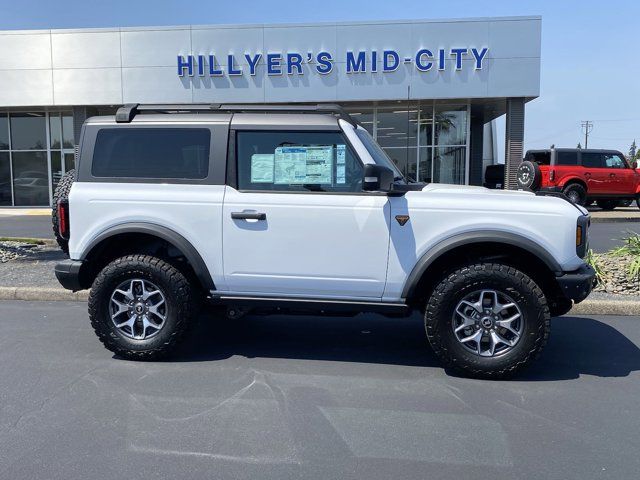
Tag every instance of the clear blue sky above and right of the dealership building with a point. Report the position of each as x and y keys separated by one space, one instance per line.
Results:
x=590 y=49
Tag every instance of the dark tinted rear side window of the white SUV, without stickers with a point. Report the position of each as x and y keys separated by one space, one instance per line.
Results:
x=152 y=153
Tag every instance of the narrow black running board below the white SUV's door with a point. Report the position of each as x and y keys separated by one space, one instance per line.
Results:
x=315 y=304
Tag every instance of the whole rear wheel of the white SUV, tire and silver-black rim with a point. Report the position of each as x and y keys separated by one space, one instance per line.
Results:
x=140 y=307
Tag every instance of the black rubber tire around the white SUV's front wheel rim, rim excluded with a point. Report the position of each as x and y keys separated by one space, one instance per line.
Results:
x=440 y=307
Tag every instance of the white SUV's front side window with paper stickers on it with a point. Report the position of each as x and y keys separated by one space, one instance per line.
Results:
x=297 y=161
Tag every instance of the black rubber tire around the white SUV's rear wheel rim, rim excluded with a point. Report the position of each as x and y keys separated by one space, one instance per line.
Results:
x=179 y=295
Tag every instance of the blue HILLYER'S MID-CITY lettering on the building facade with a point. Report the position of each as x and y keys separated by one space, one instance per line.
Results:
x=291 y=63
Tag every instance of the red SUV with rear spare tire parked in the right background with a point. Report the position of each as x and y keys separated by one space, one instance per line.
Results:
x=582 y=175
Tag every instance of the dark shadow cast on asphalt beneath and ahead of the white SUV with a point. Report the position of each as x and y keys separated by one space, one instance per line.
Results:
x=577 y=346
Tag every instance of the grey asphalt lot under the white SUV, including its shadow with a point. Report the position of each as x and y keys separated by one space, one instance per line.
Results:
x=310 y=397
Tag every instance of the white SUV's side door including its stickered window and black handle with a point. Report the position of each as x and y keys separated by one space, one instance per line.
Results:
x=297 y=222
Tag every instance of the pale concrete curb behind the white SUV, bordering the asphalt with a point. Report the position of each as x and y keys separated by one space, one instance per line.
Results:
x=621 y=306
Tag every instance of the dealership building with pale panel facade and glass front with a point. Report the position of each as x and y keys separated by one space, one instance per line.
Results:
x=427 y=90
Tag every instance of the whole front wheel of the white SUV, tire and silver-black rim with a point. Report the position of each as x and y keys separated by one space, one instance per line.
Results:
x=487 y=320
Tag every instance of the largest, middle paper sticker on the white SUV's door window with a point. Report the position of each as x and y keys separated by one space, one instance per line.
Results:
x=304 y=165
